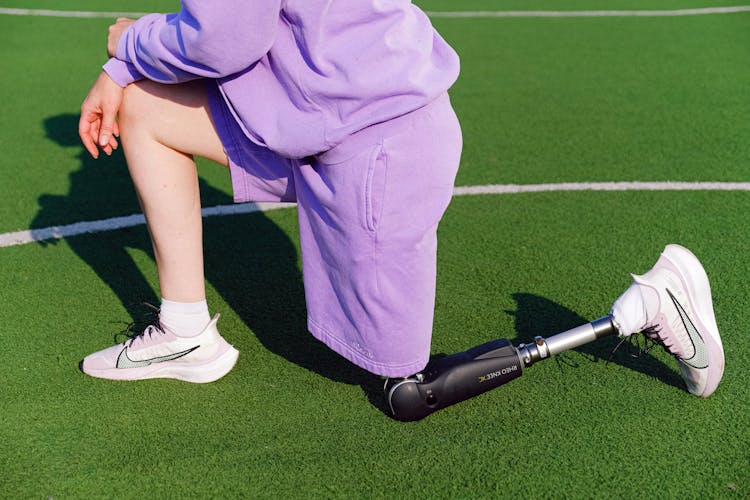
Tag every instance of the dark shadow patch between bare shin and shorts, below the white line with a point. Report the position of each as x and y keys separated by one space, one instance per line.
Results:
x=255 y=269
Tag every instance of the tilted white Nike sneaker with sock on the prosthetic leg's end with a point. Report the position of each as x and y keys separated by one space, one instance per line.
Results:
x=671 y=304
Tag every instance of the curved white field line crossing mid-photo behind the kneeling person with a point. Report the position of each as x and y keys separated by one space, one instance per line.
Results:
x=58 y=232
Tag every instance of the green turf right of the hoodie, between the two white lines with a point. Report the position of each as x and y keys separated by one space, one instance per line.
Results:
x=602 y=99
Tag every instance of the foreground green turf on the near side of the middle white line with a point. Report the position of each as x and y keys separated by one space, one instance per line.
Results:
x=292 y=419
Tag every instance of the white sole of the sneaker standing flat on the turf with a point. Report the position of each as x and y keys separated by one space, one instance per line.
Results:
x=196 y=373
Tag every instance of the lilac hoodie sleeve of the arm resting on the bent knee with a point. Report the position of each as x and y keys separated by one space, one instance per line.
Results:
x=203 y=40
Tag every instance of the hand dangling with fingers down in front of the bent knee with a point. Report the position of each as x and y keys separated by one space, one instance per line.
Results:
x=97 y=125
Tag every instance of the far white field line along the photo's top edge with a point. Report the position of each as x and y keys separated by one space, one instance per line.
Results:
x=456 y=14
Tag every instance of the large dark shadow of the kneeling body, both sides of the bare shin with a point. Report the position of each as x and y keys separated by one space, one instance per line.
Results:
x=249 y=260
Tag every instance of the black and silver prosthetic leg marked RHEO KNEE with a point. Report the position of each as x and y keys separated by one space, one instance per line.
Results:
x=461 y=376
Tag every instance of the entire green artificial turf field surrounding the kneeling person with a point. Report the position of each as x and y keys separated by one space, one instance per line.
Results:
x=540 y=100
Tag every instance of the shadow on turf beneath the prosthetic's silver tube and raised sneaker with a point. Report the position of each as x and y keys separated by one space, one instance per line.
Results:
x=537 y=315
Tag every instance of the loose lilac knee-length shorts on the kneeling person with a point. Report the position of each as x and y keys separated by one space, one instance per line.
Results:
x=368 y=214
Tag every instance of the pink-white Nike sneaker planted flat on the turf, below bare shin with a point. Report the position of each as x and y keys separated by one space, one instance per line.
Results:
x=159 y=353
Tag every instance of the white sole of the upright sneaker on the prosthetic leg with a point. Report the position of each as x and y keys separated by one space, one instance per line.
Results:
x=699 y=291
